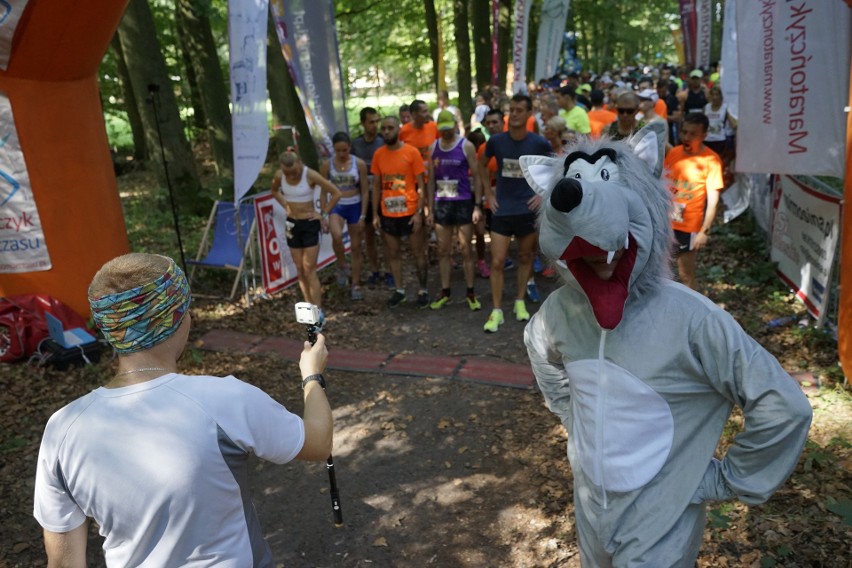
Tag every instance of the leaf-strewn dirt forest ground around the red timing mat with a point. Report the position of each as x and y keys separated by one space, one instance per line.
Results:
x=435 y=472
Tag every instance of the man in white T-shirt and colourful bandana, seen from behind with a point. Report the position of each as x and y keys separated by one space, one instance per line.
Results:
x=156 y=458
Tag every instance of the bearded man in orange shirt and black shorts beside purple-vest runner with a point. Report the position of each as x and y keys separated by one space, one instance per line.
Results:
x=399 y=188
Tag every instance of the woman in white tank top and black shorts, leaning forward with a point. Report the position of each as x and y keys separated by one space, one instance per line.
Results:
x=294 y=187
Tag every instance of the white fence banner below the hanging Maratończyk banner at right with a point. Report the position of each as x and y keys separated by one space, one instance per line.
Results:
x=805 y=233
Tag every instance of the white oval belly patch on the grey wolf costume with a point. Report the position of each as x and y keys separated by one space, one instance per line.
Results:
x=622 y=429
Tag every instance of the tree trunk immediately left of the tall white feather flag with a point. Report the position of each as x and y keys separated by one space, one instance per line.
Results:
x=212 y=85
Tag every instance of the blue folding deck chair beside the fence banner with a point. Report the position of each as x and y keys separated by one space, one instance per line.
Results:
x=228 y=249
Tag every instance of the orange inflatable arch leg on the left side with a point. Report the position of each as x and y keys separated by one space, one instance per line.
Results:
x=51 y=84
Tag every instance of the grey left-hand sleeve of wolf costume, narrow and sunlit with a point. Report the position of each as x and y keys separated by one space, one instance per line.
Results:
x=548 y=368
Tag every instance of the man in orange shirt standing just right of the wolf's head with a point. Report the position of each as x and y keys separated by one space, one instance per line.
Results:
x=696 y=175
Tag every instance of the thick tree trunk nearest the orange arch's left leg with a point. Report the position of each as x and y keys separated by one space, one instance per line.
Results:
x=158 y=109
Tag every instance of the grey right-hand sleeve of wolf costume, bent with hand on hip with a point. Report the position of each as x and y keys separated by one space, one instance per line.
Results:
x=777 y=413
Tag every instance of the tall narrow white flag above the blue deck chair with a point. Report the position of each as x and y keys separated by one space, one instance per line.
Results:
x=247 y=59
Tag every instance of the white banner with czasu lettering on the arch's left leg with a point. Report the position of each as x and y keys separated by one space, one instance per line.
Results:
x=22 y=246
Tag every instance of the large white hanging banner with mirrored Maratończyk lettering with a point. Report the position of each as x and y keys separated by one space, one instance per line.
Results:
x=794 y=85
